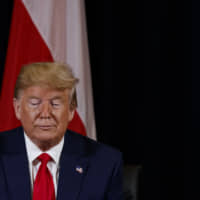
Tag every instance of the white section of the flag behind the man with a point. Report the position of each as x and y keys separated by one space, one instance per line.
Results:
x=62 y=25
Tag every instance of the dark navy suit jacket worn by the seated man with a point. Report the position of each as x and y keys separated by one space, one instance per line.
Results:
x=101 y=177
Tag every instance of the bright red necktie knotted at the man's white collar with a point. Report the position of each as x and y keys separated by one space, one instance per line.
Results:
x=43 y=186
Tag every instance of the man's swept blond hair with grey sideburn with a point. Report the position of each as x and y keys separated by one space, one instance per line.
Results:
x=54 y=75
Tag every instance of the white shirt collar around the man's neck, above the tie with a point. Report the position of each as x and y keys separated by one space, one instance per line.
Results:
x=33 y=151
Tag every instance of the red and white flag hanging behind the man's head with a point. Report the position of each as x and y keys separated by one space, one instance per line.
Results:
x=49 y=30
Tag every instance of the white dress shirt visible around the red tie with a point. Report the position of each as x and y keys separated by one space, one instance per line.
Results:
x=33 y=152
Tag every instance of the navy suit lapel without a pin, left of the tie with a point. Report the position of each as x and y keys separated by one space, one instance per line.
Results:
x=15 y=165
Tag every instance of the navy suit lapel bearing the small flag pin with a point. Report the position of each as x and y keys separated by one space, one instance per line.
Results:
x=73 y=169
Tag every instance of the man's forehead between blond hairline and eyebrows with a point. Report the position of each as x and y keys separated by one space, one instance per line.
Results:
x=44 y=92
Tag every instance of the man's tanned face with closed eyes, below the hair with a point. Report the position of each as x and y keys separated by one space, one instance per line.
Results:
x=44 y=114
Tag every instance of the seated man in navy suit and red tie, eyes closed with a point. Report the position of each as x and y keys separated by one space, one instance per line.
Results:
x=44 y=160
